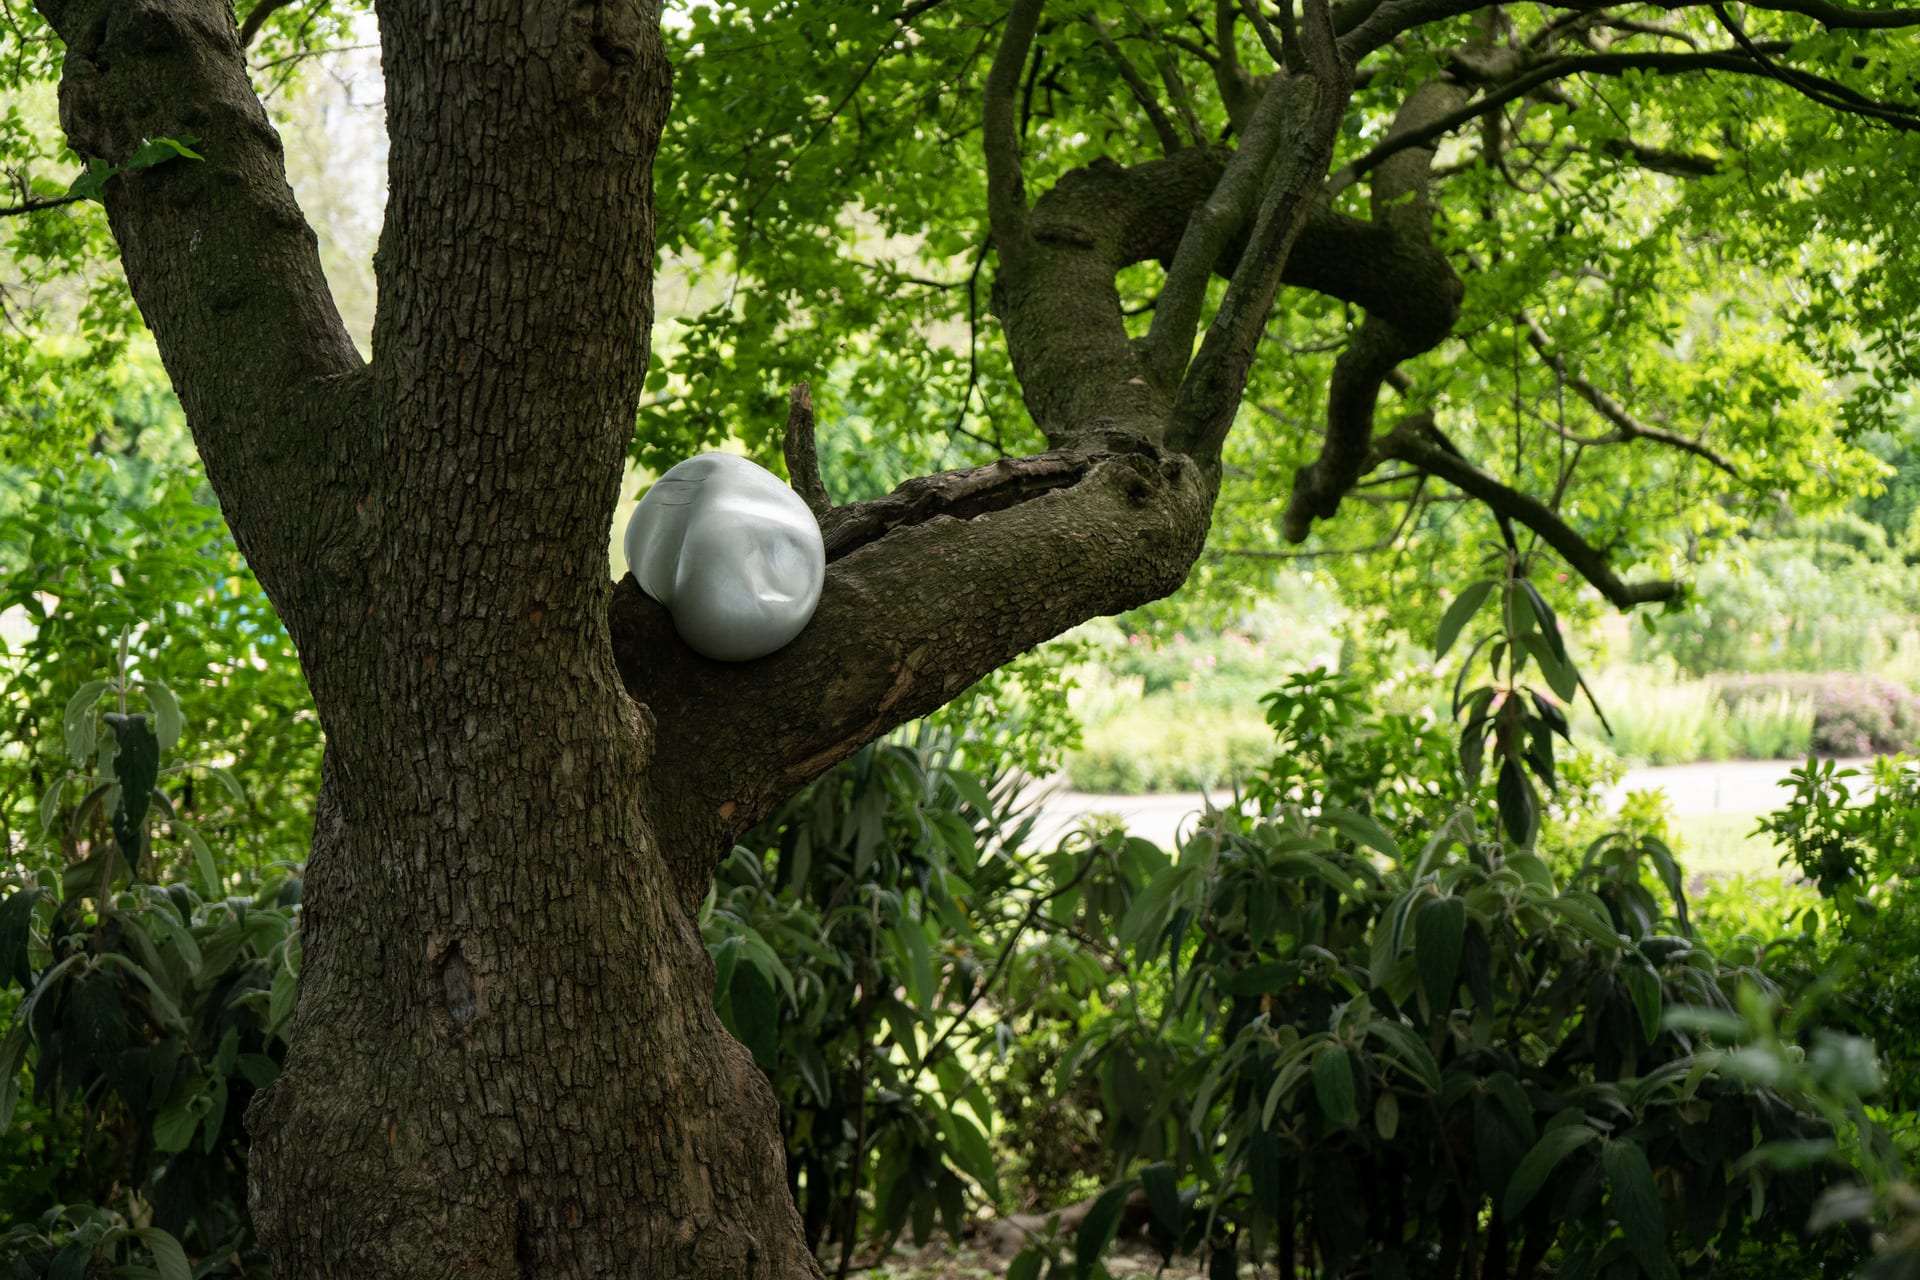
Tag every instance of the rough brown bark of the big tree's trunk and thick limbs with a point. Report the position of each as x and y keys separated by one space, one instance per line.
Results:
x=506 y=1058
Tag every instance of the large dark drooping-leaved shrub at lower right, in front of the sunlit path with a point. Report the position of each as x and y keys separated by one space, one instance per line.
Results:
x=1370 y=1035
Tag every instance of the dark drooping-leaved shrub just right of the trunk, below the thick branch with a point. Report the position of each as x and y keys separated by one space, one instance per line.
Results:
x=852 y=937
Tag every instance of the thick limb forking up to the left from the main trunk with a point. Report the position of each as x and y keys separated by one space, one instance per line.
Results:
x=218 y=256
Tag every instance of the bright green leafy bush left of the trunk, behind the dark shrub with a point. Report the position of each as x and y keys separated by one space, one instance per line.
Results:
x=114 y=548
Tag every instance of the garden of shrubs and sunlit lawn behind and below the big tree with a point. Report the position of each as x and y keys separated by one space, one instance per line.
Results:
x=1428 y=999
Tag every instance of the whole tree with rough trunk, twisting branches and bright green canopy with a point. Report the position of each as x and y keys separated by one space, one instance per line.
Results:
x=1076 y=289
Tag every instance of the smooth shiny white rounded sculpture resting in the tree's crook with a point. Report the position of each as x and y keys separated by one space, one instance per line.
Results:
x=732 y=554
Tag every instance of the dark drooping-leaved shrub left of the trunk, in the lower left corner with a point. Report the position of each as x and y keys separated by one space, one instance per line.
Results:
x=151 y=993
